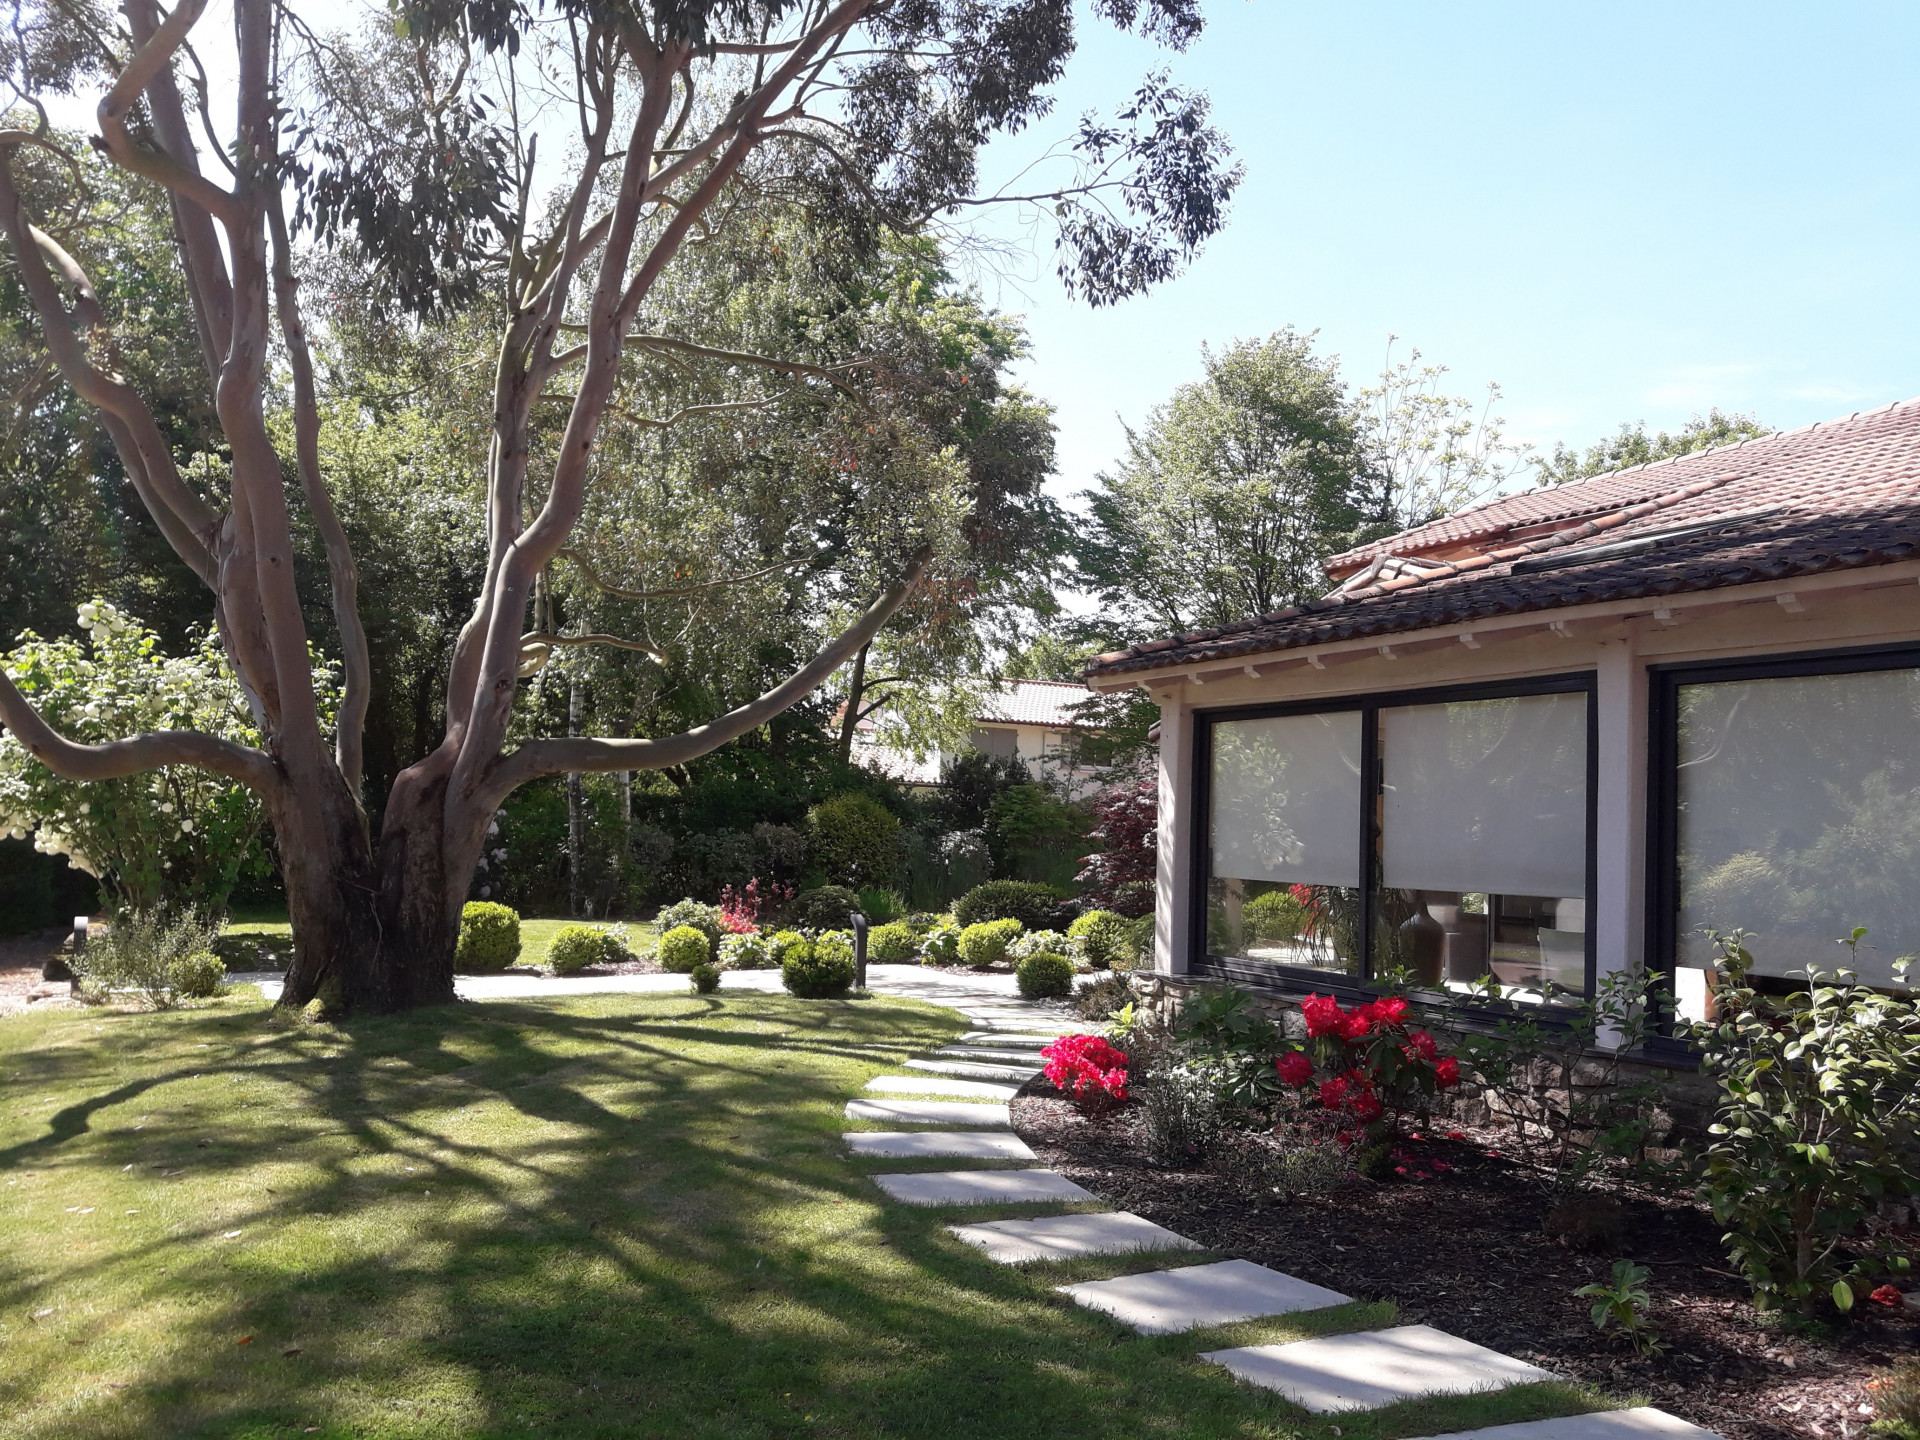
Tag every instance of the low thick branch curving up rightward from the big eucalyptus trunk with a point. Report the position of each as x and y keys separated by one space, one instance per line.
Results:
x=552 y=757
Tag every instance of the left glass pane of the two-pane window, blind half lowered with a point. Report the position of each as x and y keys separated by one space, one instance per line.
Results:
x=1285 y=842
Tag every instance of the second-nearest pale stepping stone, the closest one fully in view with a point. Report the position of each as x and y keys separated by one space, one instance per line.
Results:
x=1376 y=1368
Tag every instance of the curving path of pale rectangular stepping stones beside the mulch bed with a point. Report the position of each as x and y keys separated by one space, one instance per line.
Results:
x=1333 y=1374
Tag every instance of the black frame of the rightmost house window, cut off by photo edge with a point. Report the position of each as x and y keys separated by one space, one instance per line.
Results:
x=1664 y=771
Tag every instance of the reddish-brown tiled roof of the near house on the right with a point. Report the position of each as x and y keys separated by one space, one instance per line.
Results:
x=1829 y=496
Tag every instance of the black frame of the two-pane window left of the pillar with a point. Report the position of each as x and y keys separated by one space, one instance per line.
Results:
x=1268 y=974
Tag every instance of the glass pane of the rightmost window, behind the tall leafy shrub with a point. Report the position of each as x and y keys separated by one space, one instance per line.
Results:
x=1800 y=821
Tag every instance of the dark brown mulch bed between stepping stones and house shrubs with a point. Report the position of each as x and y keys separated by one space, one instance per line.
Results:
x=1468 y=1251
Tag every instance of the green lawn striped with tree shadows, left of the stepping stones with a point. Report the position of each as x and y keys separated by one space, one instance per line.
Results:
x=610 y=1216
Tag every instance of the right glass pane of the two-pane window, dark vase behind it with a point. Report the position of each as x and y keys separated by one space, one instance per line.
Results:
x=1483 y=844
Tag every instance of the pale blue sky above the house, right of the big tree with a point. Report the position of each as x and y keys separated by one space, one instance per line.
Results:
x=1618 y=212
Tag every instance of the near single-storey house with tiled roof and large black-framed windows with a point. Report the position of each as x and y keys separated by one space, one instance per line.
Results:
x=1566 y=734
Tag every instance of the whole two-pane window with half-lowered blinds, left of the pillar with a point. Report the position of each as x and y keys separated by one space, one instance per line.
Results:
x=1441 y=834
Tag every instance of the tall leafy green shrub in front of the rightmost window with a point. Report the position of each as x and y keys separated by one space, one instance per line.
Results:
x=1819 y=1092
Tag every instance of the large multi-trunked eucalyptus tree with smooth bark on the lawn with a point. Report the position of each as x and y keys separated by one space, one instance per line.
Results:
x=414 y=147
